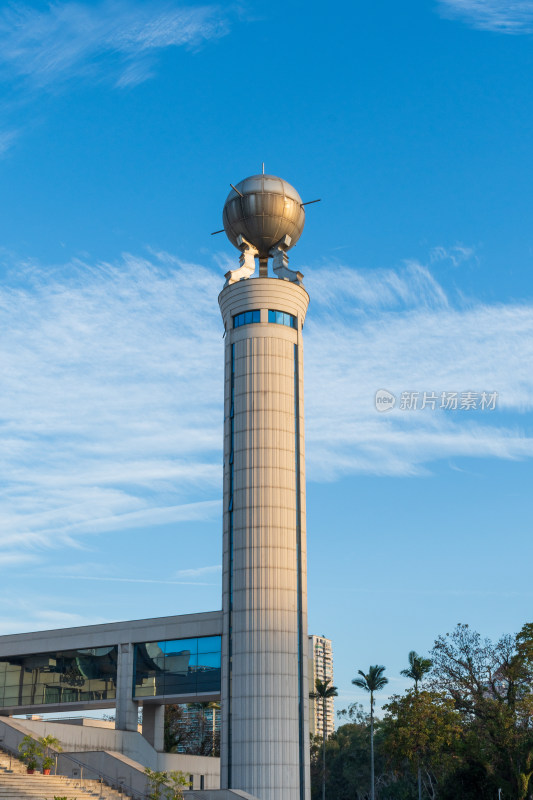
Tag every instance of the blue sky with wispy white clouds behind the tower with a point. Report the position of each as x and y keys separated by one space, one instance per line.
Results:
x=122 y=125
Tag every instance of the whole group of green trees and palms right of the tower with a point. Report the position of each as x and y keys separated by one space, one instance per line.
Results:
x=466 y=726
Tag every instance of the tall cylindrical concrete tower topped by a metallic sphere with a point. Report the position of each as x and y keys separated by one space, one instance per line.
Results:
x=265 y=740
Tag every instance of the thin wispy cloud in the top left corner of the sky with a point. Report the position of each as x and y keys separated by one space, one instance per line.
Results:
x=72 y=40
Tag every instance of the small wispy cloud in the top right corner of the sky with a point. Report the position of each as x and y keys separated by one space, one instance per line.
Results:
x=502 y=16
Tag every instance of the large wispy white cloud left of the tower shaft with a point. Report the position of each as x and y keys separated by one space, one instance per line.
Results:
x=110 y=404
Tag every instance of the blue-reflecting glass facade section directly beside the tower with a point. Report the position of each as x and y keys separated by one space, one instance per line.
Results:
x=178 y=666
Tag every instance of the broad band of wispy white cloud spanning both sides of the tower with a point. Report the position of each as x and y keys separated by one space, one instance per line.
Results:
x=111 y=402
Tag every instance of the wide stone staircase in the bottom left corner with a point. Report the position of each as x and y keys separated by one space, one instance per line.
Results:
x=16 y=784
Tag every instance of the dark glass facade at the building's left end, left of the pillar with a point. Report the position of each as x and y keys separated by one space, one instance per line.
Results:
x=69 y=676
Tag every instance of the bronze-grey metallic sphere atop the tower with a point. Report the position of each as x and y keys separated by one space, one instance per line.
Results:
x=263 y=209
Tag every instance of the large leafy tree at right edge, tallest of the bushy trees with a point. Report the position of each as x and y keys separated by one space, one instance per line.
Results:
x=490 y=685
